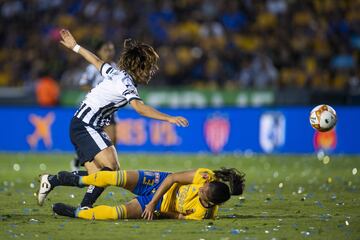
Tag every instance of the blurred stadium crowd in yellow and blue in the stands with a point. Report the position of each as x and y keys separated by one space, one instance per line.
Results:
x=311 y=44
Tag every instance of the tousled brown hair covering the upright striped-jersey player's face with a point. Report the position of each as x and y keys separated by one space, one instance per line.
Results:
x=139 y=60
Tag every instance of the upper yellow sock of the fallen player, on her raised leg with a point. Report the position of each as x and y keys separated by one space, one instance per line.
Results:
x=105 y=178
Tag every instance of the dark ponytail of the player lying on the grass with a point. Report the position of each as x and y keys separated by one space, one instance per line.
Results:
x=234 y=177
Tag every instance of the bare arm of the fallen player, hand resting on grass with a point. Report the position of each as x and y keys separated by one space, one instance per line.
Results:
x=179 y=177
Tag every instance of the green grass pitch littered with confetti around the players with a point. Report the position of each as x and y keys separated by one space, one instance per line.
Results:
x=286 y=197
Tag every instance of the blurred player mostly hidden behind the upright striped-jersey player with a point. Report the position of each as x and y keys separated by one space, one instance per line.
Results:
x=90 y=79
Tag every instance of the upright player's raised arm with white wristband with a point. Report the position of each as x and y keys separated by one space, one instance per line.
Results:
x=69 y=41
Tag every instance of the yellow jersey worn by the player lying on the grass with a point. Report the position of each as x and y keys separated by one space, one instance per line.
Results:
x=184 y=199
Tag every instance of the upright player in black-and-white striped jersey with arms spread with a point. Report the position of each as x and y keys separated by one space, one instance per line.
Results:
x=137 y=65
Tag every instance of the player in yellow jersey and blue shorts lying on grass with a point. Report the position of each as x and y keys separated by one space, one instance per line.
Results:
x=193 y=194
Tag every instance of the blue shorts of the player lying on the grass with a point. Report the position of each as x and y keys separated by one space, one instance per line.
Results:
x=148 y=183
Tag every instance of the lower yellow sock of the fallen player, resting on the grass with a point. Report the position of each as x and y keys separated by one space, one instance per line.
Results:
x=103 y=212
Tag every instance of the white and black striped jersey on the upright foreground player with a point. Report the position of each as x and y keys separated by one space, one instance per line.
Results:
x=115 y=91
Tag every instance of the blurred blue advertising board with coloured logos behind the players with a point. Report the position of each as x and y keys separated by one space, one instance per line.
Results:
x=212 y=130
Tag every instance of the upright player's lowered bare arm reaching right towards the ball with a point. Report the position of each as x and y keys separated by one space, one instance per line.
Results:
x=151 y=112
